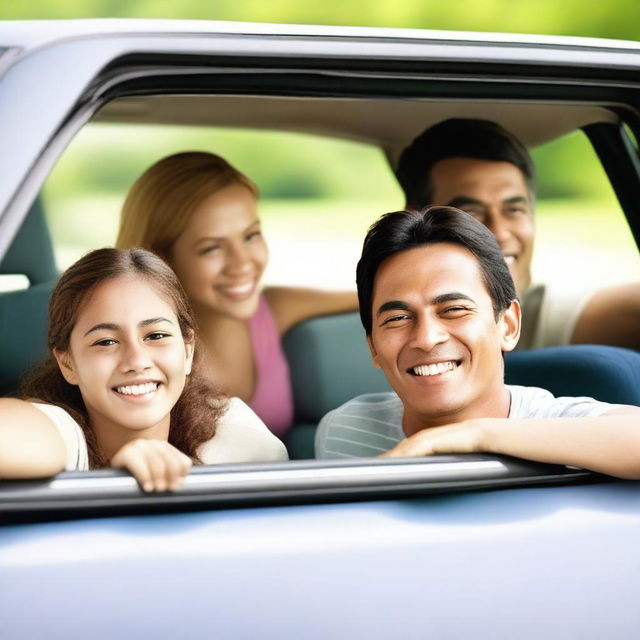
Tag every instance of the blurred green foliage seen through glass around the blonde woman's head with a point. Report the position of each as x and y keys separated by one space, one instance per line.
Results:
x=284 y=165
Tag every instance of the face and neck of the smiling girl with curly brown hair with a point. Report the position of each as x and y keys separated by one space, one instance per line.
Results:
x=128 y=358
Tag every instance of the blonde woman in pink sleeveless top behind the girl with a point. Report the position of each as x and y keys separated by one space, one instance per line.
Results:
x=200 y=214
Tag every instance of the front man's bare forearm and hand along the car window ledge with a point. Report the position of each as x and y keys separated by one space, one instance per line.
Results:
x=609 y=443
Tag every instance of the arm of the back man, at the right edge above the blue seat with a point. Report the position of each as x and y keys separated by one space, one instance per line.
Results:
x=611 y=316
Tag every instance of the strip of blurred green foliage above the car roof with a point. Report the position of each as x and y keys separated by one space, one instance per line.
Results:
x=611 y=19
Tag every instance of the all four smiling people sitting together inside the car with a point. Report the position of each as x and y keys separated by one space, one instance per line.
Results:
x=128 y=381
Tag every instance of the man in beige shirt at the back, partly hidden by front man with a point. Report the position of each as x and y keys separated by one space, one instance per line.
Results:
x=479 y=167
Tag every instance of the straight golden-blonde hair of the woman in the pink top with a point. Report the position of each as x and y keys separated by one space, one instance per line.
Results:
x=161 y=201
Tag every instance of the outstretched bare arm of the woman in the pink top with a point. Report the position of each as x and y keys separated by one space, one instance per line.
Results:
x=291 y=305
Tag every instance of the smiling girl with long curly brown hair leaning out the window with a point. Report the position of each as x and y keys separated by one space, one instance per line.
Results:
x=121 y=386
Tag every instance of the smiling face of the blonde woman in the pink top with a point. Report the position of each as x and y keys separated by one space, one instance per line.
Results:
x=221 y=255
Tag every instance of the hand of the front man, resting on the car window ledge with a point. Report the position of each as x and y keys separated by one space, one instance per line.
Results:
x=464 y=437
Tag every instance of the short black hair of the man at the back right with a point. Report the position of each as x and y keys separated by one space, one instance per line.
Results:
x=457 y=138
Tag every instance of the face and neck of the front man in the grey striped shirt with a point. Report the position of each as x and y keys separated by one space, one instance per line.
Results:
x=436 y=339
